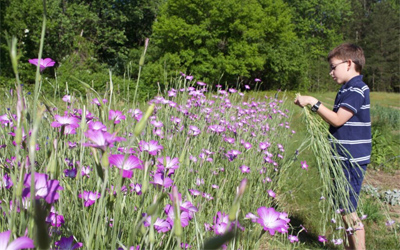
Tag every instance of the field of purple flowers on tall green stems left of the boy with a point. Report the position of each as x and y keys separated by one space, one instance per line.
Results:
x=193 y=165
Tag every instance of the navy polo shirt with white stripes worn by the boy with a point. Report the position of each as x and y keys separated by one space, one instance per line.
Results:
x=355 y=134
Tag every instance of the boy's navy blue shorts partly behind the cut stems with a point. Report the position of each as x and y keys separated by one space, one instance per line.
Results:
x=355 y=176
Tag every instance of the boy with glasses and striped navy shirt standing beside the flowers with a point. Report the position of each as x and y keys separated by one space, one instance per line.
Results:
x=350 y=124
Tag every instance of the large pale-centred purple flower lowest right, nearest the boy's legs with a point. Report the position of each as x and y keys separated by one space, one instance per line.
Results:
x=272 y=220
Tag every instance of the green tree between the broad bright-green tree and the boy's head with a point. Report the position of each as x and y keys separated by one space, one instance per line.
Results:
x=319 y=25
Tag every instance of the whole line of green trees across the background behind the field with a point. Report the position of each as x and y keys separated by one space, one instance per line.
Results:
x=282 y=42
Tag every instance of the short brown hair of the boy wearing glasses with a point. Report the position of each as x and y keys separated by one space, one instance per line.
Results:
x=347 y=51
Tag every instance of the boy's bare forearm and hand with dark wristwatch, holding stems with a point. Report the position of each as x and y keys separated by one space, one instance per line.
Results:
x=335 y=119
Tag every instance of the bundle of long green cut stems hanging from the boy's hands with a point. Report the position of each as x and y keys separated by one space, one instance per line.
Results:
x=335 y=189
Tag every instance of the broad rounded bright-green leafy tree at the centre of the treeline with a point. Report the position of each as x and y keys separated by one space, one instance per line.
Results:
x=232 y=39
